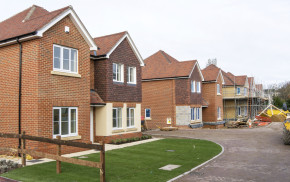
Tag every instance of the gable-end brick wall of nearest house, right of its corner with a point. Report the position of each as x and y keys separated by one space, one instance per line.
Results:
x=57 y=90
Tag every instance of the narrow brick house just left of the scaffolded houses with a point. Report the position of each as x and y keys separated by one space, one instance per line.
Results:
x=212 y=92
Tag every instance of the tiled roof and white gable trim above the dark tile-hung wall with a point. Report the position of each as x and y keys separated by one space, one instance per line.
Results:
x=107 y=44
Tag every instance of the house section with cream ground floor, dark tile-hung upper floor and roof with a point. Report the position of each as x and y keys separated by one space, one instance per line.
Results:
x=116 y=88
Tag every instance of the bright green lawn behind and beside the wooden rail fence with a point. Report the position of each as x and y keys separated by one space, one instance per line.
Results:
x=136 y=163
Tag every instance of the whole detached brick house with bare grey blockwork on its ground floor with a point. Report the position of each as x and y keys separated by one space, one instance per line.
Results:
x=171 y=92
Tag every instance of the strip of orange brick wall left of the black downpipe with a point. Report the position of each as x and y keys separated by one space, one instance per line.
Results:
x=9 y=73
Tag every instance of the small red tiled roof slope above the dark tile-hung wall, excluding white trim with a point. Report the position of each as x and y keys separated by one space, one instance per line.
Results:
x=107 y=42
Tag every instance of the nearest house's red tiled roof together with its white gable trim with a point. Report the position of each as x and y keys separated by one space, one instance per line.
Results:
x=34 y=21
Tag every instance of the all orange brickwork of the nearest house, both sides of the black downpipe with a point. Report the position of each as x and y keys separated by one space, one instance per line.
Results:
x=41 y=90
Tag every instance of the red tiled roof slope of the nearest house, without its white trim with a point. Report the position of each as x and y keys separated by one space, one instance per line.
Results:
x=26 y=22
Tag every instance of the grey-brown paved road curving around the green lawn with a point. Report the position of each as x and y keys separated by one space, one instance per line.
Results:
x=256 y=154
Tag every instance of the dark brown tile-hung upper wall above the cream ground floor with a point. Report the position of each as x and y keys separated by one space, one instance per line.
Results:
x=118 y=92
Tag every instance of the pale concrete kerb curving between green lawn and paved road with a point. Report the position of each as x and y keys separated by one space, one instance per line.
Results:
x=173 y=136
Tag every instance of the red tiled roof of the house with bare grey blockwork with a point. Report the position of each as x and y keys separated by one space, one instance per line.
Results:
x=162 y=65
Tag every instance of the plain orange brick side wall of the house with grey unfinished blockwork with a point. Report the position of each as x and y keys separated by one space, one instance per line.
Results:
x=160 y=98
